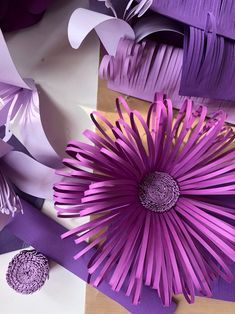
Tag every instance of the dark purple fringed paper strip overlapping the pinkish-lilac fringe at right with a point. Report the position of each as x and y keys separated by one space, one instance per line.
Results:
x=208 y=65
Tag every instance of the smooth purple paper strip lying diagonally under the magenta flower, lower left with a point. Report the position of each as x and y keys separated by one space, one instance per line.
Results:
x=44 y=235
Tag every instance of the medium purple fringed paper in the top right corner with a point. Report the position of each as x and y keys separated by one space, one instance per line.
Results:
x=195 y=13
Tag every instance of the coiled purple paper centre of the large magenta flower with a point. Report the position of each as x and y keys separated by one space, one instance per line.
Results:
x=158 y=192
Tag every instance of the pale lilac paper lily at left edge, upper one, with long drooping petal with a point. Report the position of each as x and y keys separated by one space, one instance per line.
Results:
x=21 y=108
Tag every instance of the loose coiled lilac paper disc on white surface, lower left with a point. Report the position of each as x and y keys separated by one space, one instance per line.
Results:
x=27 y=271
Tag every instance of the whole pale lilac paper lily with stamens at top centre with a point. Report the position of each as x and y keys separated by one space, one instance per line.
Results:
x=82 y=21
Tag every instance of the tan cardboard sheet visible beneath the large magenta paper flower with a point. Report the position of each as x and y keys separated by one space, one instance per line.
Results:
x=98 y=303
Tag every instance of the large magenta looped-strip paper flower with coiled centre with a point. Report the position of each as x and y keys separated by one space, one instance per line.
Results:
x=156 y=185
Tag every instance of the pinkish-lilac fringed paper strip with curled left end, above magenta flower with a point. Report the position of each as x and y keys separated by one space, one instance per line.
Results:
x=141 y=69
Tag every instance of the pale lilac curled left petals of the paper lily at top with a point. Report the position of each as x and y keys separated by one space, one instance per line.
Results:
x=109 y=29
